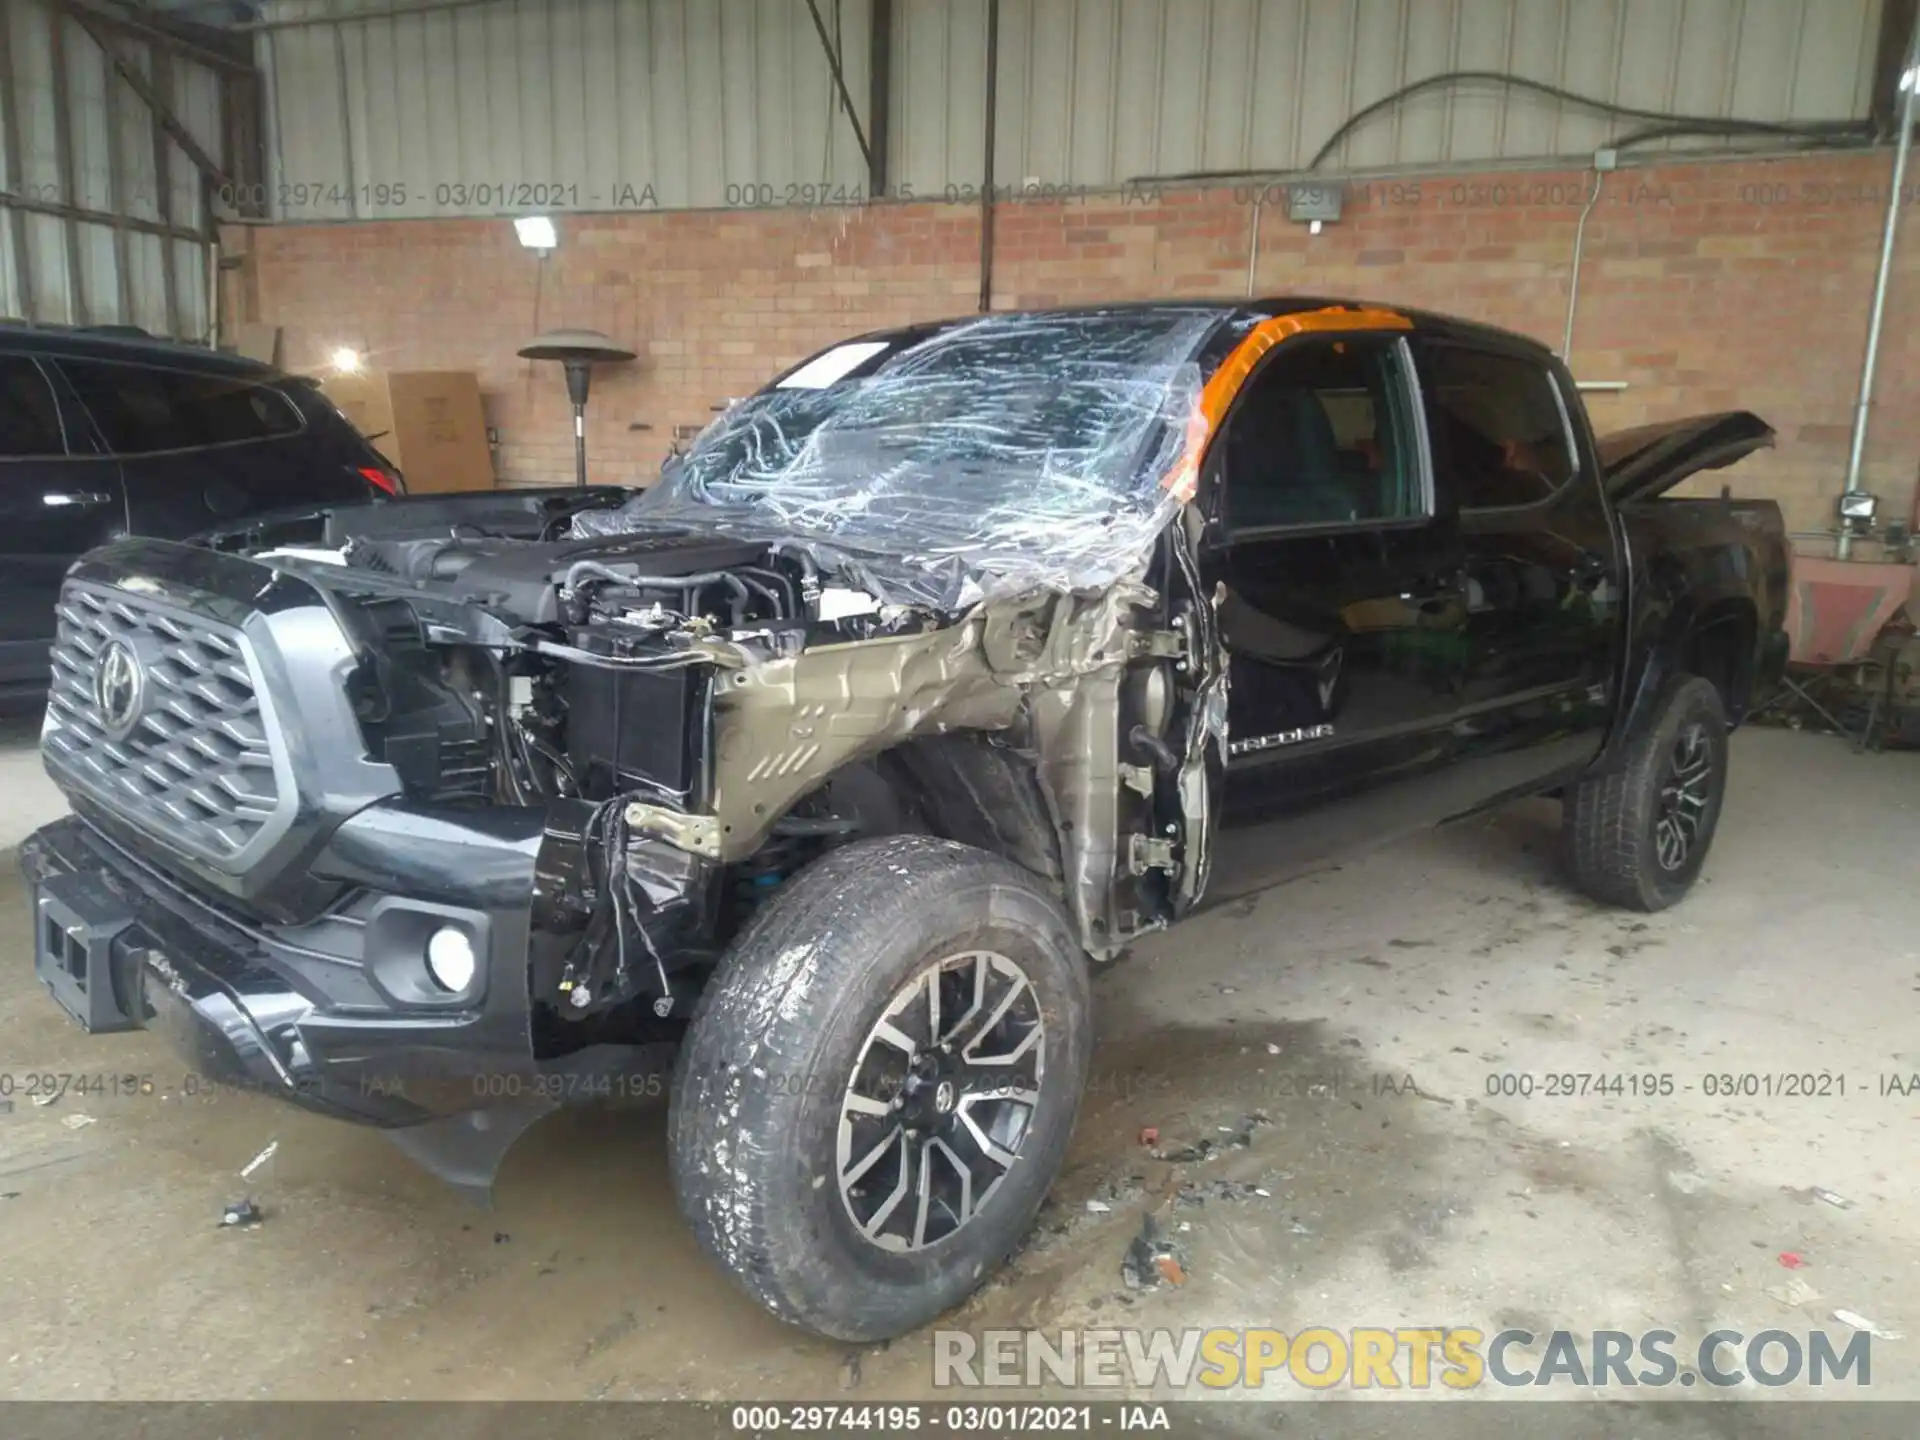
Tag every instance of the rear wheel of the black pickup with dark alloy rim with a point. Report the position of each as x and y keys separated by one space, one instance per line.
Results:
x=1637 y=836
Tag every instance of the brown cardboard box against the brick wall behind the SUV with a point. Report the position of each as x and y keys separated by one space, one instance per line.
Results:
x=427 y=423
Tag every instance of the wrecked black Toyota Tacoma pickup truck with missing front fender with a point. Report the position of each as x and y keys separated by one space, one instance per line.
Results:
x=959 y=658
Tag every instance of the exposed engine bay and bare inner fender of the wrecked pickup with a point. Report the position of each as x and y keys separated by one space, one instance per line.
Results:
x=704 y=715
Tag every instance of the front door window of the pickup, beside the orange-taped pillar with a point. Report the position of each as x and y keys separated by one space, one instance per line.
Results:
x=1322 y=437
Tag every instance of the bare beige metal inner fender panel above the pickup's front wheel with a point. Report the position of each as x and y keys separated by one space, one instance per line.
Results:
x=1101 y=700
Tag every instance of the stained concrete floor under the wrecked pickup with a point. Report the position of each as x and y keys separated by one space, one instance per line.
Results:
x=1449 y=959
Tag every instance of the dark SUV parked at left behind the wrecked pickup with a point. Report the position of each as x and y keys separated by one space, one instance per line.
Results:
x=112 y=433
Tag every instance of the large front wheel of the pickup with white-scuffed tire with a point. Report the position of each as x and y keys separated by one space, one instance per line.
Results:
x=880 y=1084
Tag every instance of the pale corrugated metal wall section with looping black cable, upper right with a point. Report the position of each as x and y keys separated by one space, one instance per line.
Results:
x=1095 y=93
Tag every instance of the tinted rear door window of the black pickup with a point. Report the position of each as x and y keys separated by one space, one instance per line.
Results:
x=1497 y=425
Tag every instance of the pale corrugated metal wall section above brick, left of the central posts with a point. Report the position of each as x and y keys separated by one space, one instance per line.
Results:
x=575 y=105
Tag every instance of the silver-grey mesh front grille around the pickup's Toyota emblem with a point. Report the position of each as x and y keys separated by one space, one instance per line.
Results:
x=197 y=769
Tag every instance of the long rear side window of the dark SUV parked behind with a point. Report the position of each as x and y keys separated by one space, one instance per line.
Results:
x=143 y=410
